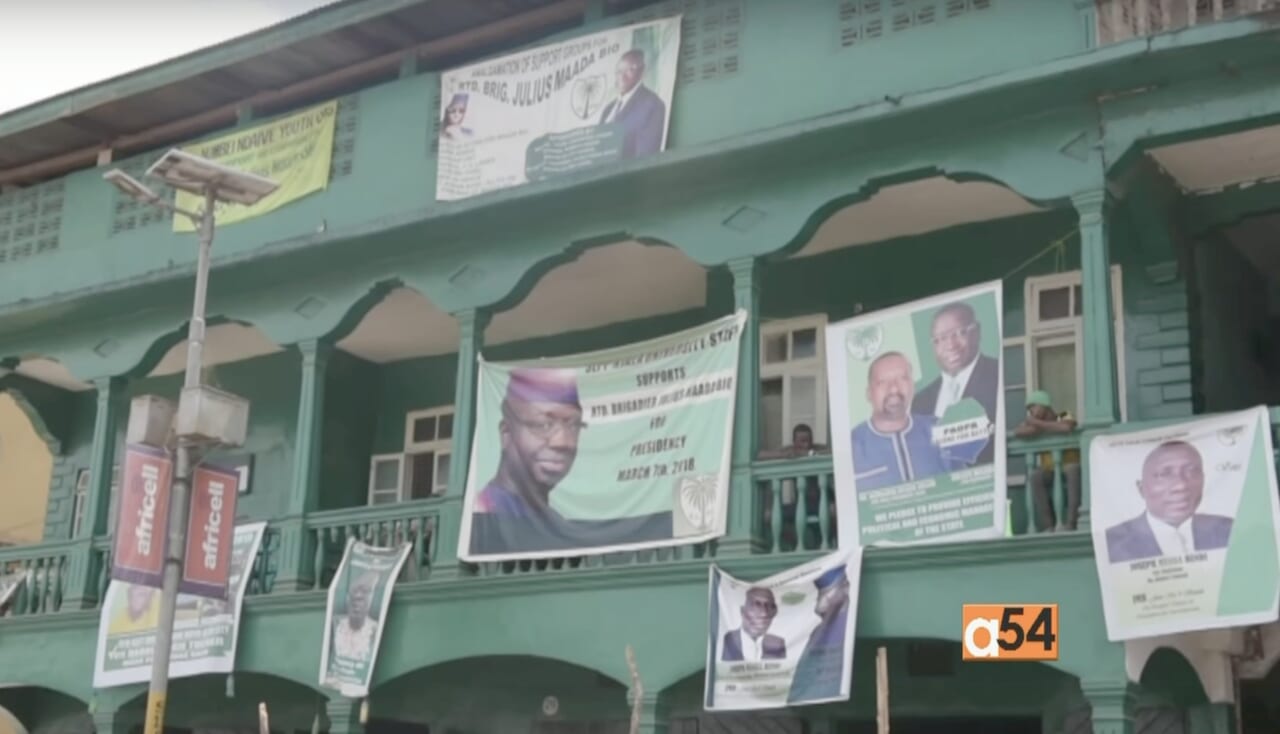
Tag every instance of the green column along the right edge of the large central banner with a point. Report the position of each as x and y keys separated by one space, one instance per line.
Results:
x=743 y=491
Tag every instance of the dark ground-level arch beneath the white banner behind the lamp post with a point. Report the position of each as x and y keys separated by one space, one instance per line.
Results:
x=216 y=703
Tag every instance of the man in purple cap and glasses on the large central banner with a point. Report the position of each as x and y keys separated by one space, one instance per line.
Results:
x=542 y=422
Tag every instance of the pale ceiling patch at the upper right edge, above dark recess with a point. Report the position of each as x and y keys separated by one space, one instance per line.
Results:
x=1212 y=165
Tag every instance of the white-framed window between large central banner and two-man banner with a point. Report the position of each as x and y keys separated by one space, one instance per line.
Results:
x=793 y=380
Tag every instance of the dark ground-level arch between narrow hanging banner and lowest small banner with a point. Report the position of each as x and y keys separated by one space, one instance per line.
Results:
x=501 y=694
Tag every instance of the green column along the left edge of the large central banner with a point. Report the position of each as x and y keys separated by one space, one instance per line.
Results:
x=472 y=326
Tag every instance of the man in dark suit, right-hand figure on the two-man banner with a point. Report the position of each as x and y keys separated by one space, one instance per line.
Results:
x=966 y=372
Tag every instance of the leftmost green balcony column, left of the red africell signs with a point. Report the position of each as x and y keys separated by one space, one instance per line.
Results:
x=83 y=573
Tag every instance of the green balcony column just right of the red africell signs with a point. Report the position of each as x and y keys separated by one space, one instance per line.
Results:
x=296 y=546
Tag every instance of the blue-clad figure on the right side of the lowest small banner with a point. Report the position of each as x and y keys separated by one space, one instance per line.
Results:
x=821 y=671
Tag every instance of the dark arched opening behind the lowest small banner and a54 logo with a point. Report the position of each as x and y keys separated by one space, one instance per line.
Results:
x=931 y=691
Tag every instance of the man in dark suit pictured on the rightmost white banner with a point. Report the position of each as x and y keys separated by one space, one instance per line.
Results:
x=1172 y=485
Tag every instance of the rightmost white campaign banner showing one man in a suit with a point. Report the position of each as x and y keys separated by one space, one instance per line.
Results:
x=1187 y=526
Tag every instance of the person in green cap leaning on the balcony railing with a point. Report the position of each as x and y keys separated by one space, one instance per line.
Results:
x=1041 y=421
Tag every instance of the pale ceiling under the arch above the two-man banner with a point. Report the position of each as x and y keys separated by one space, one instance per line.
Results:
x=916 y=208
